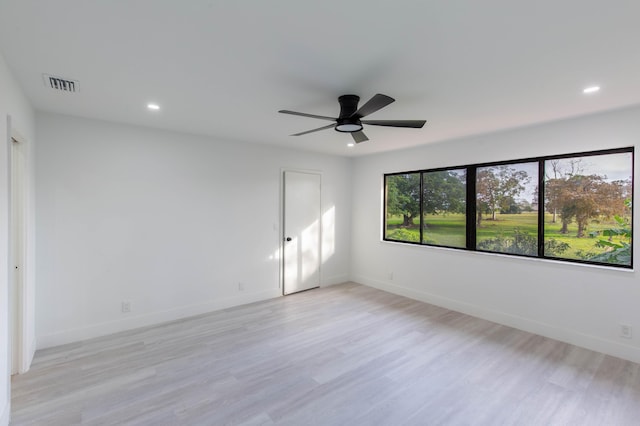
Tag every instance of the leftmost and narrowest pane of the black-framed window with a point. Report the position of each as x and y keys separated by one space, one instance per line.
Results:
x=403 y=207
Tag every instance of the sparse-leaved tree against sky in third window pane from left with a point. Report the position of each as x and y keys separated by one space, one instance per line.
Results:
x=495 y=188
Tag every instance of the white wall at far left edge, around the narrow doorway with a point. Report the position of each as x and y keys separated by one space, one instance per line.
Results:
x=14 y=109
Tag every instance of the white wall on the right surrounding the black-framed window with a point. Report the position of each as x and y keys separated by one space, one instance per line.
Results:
x=579 y=304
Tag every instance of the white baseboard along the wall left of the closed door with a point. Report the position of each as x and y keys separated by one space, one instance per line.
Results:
x=132 y=322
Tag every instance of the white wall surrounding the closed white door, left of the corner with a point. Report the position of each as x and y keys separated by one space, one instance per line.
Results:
x=171 y=222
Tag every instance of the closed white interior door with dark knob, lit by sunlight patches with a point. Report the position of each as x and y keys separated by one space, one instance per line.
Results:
x=302 y=231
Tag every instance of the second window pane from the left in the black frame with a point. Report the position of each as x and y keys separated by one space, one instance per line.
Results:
x=444 y=206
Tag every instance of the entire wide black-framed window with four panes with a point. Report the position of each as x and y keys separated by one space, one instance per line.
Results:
x=575 y=207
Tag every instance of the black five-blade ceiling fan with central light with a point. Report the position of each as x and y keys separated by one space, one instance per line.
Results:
x=350 y=117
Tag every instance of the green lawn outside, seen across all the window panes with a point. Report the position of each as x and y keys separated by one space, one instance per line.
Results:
x=449 y=230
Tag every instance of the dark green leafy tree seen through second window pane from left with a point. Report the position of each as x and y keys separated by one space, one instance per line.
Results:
x=444 y=192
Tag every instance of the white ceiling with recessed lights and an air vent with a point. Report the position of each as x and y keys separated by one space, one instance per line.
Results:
x=225 y=67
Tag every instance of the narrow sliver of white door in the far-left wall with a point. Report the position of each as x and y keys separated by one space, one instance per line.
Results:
x=17 y=235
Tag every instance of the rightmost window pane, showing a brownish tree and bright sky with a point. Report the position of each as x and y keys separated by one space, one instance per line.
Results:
x=588 y=208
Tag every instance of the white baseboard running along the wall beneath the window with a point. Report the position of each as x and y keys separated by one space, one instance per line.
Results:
x=573 y=337
